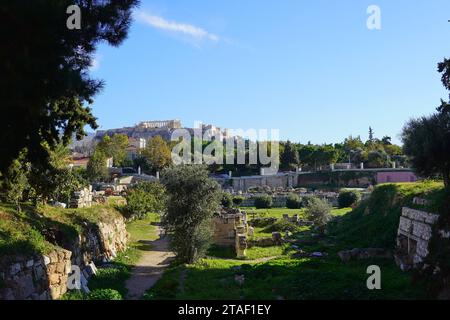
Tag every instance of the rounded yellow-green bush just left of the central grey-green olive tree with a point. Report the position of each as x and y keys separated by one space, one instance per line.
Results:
x=144 y=198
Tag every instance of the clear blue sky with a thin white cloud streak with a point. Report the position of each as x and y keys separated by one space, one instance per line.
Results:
x=310 y=68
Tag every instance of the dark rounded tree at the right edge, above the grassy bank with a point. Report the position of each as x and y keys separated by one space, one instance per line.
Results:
x=426 y=141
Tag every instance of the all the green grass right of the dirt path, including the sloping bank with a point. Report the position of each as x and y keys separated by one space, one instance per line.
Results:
x=280 y=272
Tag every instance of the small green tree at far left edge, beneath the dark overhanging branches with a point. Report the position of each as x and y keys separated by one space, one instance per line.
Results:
x=15 y=181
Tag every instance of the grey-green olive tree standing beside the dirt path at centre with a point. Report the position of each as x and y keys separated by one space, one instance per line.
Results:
x=193 y=198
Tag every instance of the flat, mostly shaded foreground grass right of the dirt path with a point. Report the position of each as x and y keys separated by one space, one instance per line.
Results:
x=284 y=277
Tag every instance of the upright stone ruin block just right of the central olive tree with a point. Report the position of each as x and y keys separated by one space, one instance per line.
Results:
x=231 y=229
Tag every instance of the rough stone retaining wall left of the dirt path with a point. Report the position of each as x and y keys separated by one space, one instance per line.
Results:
x=44 y=277
